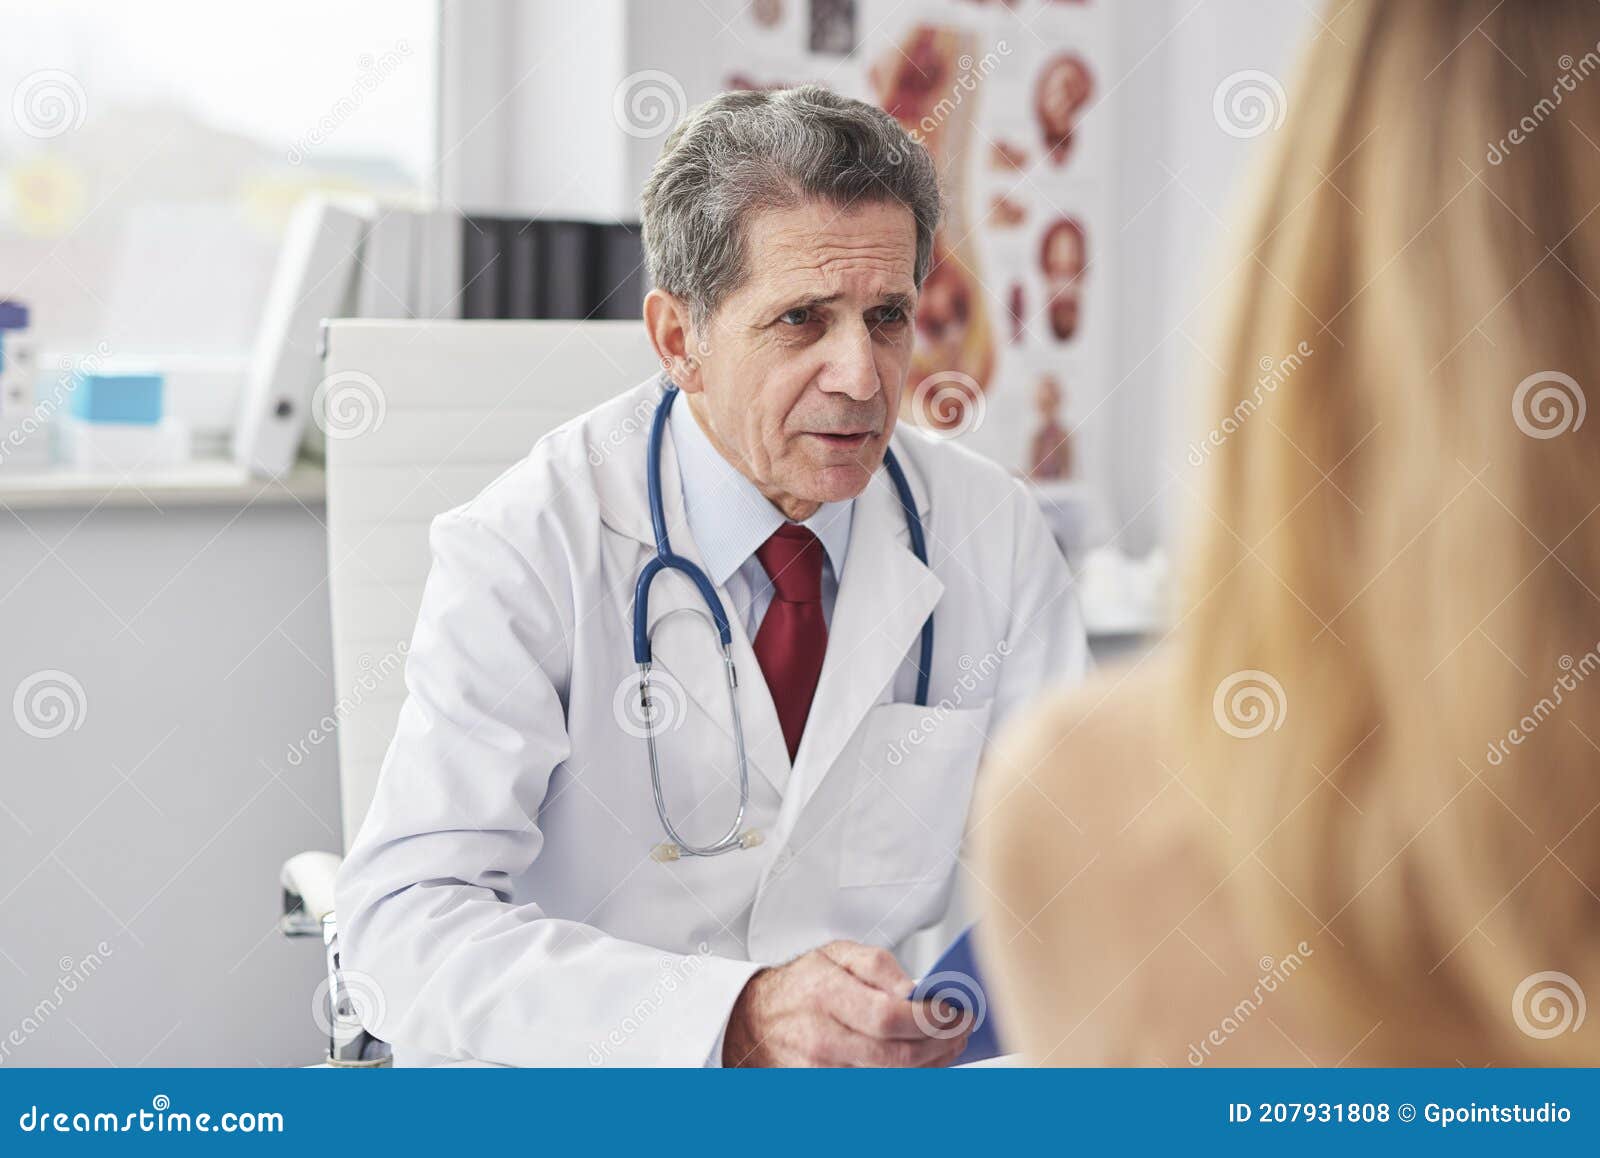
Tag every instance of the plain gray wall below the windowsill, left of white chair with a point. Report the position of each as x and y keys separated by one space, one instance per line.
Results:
x=158 y=825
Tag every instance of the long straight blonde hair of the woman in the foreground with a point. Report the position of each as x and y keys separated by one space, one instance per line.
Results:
x=1398 y=559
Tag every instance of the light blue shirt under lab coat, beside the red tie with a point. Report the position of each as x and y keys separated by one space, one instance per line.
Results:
x=729 y=519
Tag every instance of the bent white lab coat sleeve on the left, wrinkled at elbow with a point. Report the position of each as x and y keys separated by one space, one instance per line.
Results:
x=449 y=964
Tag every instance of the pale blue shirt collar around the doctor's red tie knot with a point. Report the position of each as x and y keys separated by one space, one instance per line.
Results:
x=729 y=516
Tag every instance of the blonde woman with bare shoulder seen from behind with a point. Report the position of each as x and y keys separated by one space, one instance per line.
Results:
x=1350 y=810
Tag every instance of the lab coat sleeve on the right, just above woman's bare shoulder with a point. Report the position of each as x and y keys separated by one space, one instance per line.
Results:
x=1047 y=644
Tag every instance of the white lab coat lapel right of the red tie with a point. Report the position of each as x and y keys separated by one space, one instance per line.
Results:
x=884 y=599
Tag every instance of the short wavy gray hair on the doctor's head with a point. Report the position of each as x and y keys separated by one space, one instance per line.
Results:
x=745 y=153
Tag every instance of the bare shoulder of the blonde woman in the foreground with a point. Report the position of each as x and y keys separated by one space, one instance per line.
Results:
x=1110 y=925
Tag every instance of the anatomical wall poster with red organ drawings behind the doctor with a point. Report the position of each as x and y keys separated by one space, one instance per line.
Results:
x=1012 y=329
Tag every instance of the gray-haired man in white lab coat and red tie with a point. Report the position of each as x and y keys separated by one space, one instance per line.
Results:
x=513 y=893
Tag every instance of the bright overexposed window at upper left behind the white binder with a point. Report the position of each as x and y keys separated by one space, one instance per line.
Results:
x=151 y=156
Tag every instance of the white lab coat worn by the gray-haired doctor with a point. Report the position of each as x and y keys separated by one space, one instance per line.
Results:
x=502 y=903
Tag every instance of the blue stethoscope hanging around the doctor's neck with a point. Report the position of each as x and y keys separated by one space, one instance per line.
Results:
x=666 y=561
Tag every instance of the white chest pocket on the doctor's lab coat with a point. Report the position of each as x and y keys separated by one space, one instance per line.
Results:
x=914 y=783
